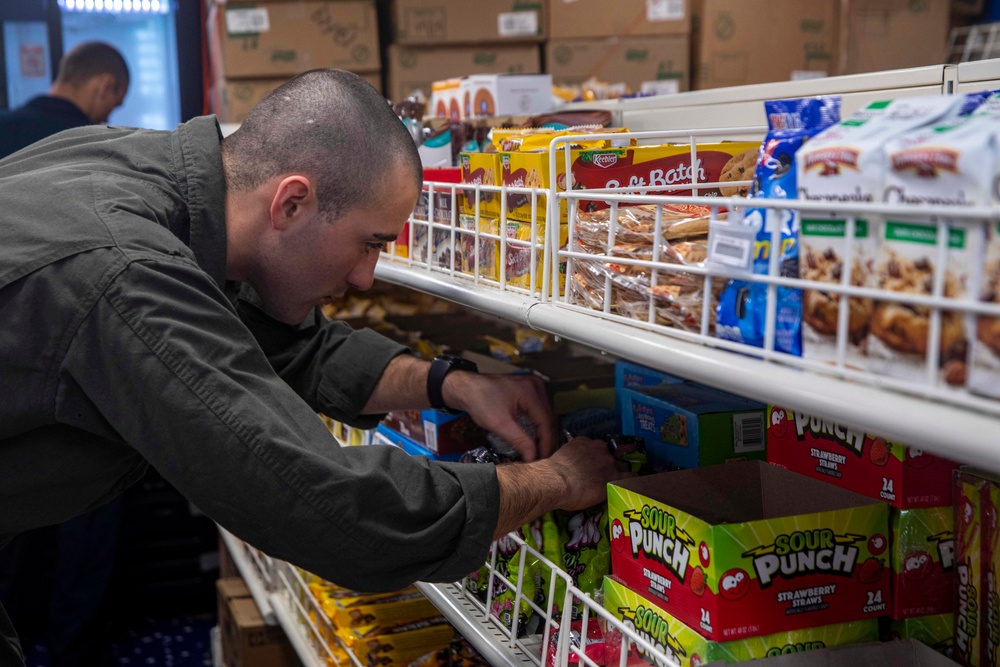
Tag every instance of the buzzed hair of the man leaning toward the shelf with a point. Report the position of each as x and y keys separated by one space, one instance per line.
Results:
x=331 y=126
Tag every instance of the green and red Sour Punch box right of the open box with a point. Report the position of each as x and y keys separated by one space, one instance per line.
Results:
x=923 y=561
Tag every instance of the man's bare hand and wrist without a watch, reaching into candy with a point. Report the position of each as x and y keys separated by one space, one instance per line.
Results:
x=574 y=478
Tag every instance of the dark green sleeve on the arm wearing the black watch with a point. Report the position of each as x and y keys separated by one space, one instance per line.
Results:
x=330 y=365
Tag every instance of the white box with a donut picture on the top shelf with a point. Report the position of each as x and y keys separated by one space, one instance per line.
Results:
x=503 y=94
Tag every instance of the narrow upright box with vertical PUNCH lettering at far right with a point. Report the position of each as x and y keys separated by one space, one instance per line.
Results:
x=971 y=492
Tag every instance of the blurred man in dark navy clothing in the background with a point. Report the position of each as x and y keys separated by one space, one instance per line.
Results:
x=57 y=578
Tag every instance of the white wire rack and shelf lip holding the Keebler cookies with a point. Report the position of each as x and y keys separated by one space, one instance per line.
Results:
x=926 y=412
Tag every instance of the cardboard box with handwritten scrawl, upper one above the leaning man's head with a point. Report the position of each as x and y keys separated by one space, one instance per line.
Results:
x=260 y=40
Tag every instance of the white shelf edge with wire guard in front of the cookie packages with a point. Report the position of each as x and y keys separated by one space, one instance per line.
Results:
x=927 y=414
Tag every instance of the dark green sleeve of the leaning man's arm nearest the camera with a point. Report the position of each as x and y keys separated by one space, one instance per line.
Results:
x=166 y=363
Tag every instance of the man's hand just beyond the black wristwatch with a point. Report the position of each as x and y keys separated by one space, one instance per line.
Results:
x=495 y=402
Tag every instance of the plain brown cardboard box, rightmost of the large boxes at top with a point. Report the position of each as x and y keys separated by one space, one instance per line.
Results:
x=891 y=34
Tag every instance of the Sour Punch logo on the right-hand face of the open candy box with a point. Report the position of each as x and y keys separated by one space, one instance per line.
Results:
x=805 y=552
